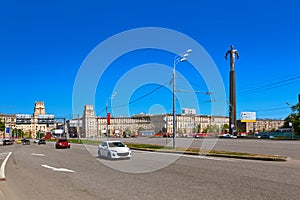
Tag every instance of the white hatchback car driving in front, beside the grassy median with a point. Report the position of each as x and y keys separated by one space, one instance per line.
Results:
x=114 y=150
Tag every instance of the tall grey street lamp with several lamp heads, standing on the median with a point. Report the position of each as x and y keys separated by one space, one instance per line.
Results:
x=177 y=59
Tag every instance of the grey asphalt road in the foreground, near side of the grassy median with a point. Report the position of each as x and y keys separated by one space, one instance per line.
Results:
x=43 y=172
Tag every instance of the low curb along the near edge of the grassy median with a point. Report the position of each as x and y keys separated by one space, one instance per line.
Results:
x=248 y=157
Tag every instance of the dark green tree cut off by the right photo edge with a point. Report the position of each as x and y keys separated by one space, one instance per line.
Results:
x=294 y=118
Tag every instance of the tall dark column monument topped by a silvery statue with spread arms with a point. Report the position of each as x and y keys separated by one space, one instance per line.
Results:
x=233 y=53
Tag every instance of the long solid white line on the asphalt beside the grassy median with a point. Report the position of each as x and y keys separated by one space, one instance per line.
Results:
x=188 y=156
